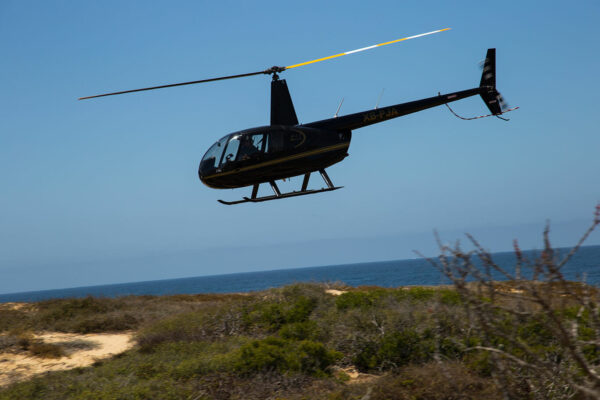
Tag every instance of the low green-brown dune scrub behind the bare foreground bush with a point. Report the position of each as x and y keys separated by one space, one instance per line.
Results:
x=283 y=343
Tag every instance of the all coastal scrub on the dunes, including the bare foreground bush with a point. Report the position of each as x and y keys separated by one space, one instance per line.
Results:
x=534 y=335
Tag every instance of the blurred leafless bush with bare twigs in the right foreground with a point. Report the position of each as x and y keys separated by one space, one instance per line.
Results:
x=536 y=334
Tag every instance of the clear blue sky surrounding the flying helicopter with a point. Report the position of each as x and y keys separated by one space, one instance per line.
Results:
x=106 y=190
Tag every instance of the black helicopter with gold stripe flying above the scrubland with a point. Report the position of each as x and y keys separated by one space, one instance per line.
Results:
x=286 y=149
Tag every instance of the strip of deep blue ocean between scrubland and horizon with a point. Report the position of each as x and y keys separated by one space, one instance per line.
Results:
x=384 y=273
